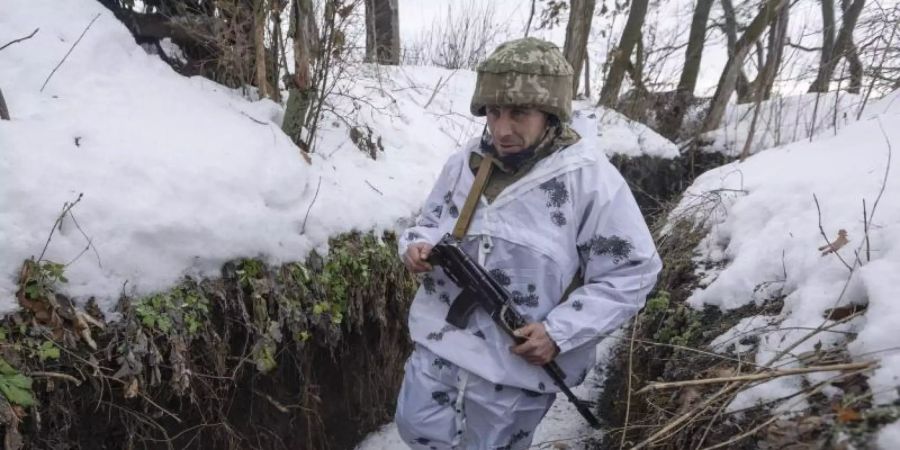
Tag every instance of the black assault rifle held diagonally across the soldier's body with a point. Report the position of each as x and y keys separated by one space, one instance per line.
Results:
x=479 y=288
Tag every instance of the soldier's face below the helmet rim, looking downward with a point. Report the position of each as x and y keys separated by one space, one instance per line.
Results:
x=515 y=128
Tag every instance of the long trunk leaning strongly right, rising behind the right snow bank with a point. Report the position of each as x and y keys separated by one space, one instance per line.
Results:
x=729 y=75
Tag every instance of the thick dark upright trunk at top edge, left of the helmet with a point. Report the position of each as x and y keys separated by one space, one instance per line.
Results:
x=382 y=32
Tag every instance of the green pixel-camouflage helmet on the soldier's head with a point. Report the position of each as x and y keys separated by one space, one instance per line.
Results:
x=526 y=71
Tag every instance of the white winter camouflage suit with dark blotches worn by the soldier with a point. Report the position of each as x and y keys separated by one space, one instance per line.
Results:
x=571 y=211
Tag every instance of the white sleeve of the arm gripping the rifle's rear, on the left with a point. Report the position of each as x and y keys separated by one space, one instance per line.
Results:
x=438 y=203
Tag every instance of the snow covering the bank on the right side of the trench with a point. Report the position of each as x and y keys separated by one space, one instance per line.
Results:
x=764 y=241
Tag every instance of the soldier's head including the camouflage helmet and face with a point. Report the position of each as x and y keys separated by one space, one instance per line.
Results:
x=522 y=88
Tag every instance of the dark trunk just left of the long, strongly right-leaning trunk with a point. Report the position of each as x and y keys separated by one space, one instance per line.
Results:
x=671 y=122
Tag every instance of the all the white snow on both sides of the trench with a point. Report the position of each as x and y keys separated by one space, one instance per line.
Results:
x=179 y=175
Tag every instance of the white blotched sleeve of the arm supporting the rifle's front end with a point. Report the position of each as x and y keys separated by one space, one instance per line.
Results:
x=620 y=265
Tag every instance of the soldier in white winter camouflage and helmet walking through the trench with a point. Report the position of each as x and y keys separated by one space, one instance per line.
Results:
x=556 y=225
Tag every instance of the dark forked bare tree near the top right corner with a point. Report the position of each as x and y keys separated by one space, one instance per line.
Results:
x=843 y=47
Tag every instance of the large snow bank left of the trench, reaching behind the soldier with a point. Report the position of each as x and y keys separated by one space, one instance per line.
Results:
x=179 y=175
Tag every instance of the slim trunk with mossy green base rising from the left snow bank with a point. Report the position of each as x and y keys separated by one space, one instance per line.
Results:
x=302 y=91
